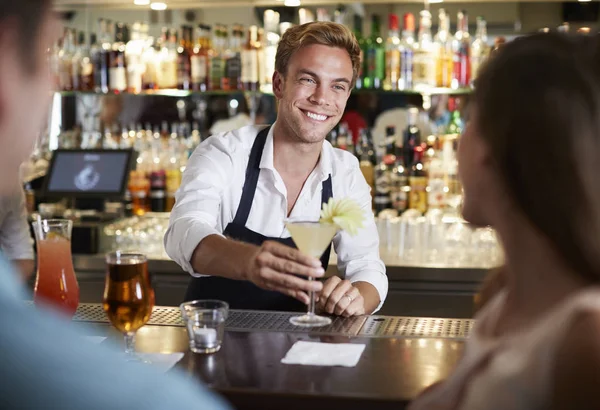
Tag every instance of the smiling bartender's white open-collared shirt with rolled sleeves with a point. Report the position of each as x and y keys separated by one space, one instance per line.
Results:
x=211 y=189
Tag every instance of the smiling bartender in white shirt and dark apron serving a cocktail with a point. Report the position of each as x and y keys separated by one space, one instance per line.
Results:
x=227 y=228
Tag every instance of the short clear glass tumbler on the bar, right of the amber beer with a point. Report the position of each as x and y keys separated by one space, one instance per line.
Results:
x=205 y=323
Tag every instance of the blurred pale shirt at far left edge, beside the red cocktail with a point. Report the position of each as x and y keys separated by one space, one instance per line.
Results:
x=15 y=237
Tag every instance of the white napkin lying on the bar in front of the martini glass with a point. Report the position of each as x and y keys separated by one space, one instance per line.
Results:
x=324 y=354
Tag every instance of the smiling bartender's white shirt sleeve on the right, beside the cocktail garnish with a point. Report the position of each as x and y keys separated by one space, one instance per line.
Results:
x=358 y=256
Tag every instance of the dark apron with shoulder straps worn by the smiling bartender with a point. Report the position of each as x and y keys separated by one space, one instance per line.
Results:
x=244 y=294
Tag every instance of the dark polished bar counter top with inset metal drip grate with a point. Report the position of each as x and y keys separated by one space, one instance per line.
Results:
x=403 y=355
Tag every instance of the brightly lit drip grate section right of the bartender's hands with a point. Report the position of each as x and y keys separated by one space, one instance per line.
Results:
x=392 y=326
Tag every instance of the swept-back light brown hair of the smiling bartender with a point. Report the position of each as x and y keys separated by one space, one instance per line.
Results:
x=323 y=33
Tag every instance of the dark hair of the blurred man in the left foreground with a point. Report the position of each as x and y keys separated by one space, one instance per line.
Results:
x=28 y=17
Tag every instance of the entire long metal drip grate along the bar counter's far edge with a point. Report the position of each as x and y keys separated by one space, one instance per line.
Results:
x=364 y=326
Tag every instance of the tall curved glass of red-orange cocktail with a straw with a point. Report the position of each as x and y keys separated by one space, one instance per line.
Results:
x=55 y=283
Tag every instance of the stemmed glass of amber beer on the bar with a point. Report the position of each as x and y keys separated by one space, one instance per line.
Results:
x=128 y=295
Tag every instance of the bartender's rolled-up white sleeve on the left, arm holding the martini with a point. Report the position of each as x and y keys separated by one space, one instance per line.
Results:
x=198 y=201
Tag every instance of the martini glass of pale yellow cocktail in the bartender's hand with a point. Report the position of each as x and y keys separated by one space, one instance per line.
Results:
x=312 y=239
